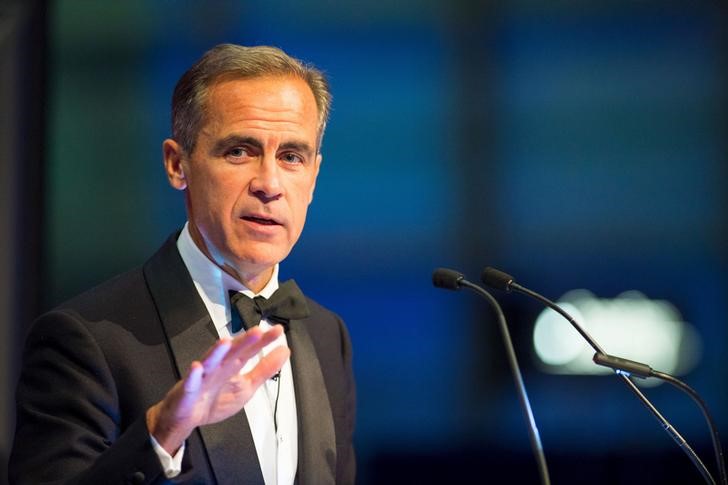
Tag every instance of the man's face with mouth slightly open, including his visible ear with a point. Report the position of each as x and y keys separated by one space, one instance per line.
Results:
x=252 y=173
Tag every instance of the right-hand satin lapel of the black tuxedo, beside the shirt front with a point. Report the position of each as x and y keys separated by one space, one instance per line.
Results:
x=316 y=436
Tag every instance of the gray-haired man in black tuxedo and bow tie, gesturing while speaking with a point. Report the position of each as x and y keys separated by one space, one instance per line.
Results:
x=148 y=378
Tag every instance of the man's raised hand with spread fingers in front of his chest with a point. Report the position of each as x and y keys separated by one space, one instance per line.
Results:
x=214 y=389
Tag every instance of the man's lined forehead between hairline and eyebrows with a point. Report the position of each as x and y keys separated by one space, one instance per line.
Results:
x=270 y=103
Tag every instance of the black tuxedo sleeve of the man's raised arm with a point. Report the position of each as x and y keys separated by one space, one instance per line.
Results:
x=68 y=415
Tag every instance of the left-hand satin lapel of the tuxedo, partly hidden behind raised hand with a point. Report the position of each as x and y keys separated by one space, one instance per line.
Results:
x=229 y=444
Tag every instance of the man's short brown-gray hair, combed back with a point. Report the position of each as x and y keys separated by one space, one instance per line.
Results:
x=229 y=61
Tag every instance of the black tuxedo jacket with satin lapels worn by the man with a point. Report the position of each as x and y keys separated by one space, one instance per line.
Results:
x=93 y=366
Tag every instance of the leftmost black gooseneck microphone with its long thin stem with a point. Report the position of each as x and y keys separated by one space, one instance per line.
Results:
x=452 y=280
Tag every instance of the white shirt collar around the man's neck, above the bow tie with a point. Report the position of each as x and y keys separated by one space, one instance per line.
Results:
x=213 y=283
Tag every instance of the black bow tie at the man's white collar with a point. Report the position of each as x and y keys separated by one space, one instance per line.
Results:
x=286 y=304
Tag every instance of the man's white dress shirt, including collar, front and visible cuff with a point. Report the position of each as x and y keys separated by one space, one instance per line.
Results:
x=277 y=449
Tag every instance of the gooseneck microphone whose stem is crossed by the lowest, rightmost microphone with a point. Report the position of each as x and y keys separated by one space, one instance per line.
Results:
x=495 y=278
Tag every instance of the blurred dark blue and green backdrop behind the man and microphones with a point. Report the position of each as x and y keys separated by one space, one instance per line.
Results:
x=573 y=144
